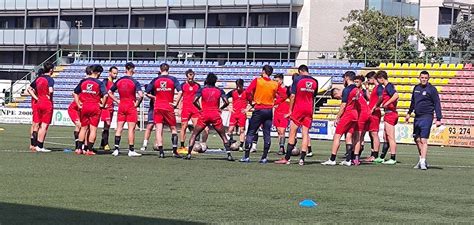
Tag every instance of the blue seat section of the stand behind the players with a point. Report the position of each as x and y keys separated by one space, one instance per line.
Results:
x=68 y=76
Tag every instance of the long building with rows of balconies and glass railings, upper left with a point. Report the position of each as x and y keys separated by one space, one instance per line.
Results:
x=199 y=29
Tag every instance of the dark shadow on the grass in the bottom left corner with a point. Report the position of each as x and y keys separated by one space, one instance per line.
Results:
x=27 y=214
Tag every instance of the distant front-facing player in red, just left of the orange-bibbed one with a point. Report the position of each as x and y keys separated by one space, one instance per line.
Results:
x=238 y=116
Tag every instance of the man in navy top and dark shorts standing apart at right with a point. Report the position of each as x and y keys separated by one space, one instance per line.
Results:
x=424 y=101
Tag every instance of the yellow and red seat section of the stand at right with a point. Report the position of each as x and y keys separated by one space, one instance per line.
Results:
x=455 y=83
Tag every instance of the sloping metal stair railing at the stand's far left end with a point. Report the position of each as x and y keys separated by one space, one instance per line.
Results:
x=21 y=84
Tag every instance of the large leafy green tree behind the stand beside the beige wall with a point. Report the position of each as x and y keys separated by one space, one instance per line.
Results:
x=375 y=38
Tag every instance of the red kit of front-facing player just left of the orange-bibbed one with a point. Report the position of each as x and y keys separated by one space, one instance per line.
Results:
x=239 y=104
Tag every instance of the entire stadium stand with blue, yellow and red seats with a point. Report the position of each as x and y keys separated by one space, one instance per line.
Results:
x=455 y=82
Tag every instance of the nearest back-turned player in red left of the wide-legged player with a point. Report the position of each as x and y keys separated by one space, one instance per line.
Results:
x=161 y=89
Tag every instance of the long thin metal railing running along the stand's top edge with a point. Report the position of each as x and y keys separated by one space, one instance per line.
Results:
x=369 y=58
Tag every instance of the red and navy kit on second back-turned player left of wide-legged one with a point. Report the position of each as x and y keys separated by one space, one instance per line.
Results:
x=127 y=88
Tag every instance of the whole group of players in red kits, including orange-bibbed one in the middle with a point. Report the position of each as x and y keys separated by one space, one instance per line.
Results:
x=269 y=100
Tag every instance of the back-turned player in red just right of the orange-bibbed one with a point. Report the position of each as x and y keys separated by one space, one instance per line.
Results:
x=303 y=91
